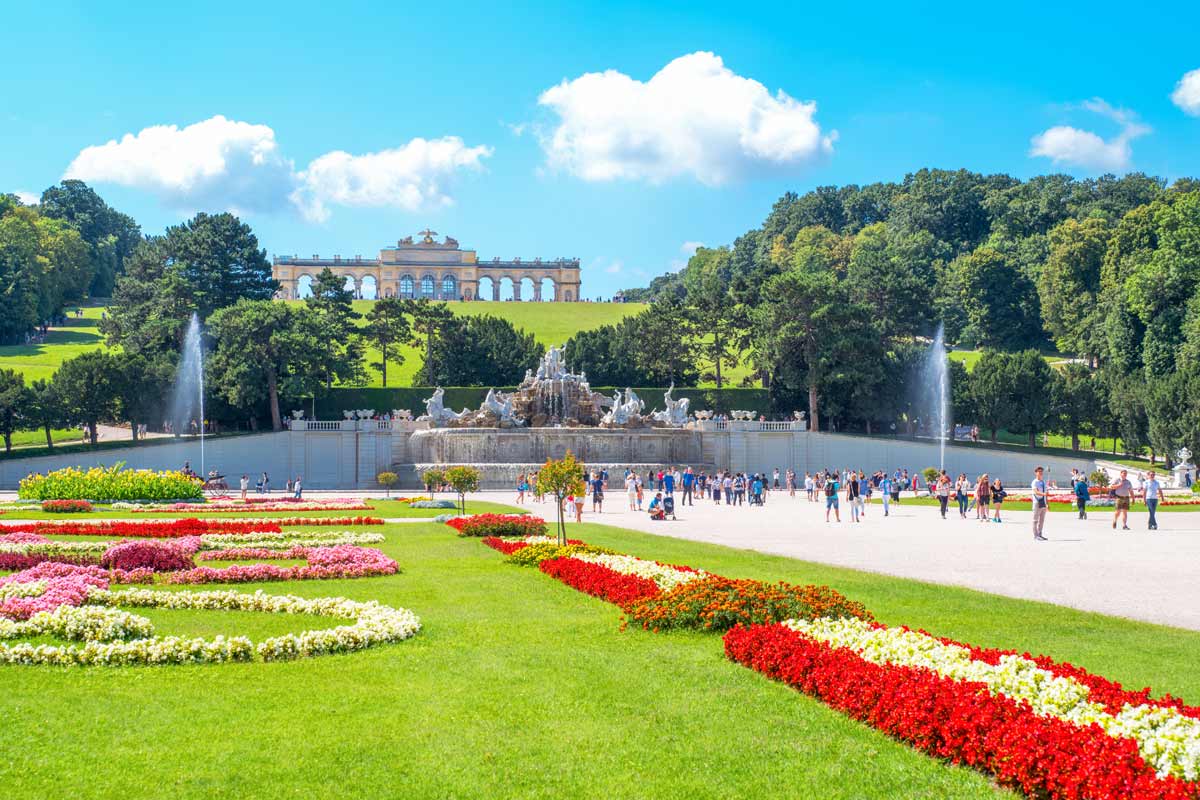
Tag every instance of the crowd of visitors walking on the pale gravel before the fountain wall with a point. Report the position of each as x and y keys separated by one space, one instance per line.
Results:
x=983 y=498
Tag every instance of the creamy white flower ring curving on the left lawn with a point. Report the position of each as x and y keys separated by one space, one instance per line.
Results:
x=116 y=637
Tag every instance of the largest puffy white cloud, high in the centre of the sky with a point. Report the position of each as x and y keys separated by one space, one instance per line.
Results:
x=695 y=117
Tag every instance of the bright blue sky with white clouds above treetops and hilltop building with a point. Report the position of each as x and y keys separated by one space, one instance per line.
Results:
x=621 y=134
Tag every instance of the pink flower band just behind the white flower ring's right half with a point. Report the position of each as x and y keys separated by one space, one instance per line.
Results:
x=325 y=563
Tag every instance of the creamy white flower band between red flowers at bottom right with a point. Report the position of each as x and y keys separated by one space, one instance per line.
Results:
x=1167 y=739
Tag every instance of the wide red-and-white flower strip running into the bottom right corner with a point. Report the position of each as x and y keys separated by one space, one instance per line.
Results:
x=1033 y=729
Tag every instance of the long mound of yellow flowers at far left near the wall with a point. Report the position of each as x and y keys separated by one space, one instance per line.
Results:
x=106 y=485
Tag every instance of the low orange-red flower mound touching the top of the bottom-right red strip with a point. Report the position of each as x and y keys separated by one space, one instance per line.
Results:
x=717 y=604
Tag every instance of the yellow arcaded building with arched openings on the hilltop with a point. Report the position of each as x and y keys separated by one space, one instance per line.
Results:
x=443 y=270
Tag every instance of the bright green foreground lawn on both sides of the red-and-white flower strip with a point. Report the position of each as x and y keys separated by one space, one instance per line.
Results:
x=521 y=687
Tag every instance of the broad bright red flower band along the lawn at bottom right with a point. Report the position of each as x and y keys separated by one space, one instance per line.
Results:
x=959 y=721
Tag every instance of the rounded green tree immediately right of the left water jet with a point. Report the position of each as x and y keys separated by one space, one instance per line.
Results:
x=256 y=348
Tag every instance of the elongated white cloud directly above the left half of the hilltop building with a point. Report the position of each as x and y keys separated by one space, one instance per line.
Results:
x=412 y=177
